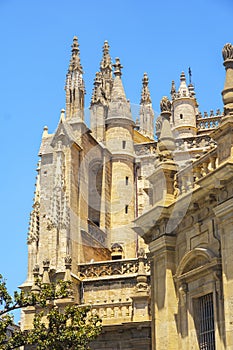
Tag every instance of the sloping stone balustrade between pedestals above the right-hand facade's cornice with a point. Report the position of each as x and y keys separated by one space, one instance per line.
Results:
x=187 y=178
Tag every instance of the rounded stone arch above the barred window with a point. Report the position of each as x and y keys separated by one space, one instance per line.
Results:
x=194 y=259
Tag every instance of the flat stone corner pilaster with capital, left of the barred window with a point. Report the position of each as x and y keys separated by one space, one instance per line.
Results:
x=164 y=299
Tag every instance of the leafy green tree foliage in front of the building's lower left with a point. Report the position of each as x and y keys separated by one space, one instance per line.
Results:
x=72 y=327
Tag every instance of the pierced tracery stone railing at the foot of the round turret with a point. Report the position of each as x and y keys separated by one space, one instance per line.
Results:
x=103 y=269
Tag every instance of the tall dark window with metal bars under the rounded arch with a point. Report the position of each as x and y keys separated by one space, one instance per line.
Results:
x=204 y=320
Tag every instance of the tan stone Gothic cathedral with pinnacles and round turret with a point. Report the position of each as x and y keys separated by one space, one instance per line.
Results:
x=142 y=225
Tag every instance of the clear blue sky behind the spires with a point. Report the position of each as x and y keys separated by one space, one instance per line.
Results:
x=161 y=38
